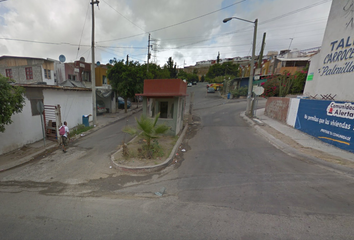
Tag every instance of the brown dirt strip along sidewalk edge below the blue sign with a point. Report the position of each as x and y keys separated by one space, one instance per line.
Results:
x=308 y=151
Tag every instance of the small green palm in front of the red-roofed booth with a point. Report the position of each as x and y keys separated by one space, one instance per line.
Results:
x=149 y=129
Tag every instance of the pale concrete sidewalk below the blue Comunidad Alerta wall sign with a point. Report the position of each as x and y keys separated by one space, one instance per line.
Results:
x=297 y=143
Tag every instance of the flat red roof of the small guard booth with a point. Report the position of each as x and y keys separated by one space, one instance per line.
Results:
x=164 y=88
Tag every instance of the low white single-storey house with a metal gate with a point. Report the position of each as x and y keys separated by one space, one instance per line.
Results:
x=60 y=104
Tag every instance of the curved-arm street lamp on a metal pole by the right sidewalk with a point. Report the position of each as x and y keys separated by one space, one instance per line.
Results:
x=249 y=109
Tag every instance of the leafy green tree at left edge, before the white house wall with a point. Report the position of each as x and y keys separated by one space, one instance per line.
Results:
x=11 y=101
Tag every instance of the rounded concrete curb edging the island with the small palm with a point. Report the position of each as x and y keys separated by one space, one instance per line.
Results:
x=155 y=168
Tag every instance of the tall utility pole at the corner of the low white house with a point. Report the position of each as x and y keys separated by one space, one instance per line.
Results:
x=93 y=77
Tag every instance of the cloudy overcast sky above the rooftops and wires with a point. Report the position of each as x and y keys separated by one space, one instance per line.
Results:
x=187 y=30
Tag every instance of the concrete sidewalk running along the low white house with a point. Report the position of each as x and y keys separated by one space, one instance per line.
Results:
x=30 y=151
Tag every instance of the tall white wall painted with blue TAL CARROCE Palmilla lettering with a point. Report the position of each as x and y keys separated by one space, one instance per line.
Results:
x=332 y=70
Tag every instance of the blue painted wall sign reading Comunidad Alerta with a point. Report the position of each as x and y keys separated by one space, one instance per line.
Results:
x=329 y=121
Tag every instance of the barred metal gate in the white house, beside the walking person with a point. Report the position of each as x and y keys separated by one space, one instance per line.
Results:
x=52 y=119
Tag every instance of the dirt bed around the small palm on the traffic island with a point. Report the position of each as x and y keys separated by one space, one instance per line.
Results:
x=138 y=157
